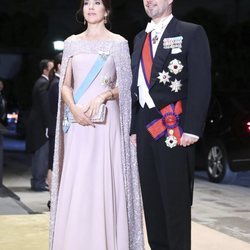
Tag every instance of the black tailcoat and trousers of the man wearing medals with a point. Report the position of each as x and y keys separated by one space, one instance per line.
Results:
x=167 y=174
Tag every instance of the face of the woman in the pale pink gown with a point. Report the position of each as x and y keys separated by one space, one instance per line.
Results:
x=94 y=11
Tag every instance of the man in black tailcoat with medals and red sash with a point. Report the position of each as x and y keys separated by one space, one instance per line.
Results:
x=170 y=96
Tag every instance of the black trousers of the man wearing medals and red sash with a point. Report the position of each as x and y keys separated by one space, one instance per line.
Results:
x=166 y=184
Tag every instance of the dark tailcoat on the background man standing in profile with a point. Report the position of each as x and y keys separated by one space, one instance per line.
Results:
x=39 y=116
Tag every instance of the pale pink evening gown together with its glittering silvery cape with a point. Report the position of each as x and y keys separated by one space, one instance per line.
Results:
x=98 y=199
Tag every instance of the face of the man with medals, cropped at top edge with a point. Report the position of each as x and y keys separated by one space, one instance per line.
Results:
x=156 y=9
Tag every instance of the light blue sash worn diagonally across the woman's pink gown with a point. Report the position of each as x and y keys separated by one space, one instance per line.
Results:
x=95 y=70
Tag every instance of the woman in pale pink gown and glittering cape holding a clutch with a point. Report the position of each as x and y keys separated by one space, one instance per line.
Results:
x=98 y=205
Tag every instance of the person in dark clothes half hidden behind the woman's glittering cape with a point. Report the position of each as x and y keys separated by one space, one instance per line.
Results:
x=54 y=77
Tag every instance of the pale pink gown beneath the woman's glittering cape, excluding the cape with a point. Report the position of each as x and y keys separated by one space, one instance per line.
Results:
x=91 y=212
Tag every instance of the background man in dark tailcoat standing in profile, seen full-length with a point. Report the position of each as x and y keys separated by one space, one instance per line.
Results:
x=37 y=138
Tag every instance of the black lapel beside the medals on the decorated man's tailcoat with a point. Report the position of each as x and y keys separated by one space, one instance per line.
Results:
x=161 y=53
